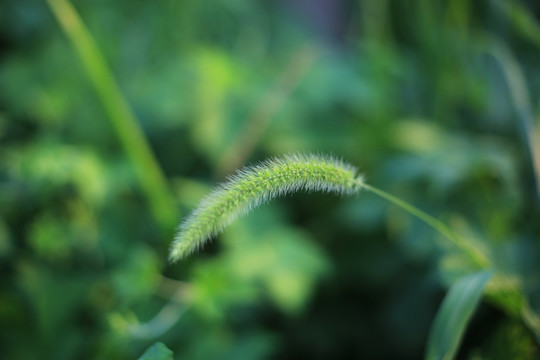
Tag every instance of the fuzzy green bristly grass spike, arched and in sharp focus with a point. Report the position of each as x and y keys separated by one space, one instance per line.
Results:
x=255 y=185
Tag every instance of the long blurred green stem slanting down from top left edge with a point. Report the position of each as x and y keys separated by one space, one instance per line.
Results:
x=119 y=113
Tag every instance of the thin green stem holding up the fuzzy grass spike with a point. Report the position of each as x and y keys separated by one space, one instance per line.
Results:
x=477 y=256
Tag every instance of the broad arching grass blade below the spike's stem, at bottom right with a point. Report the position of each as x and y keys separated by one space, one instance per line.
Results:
x=452 y=318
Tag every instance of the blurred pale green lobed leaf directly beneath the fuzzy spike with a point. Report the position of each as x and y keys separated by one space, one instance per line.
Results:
x=287 y=262
